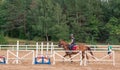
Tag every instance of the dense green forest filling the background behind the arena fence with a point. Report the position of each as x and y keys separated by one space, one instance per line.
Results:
x=91 y=21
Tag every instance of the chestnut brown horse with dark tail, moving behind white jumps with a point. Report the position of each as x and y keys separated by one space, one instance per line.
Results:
x=80 y=47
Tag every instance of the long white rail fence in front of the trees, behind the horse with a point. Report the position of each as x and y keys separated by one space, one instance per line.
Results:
x=33 y=47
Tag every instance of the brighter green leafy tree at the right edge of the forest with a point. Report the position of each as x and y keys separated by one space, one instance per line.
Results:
x=113 y=29
